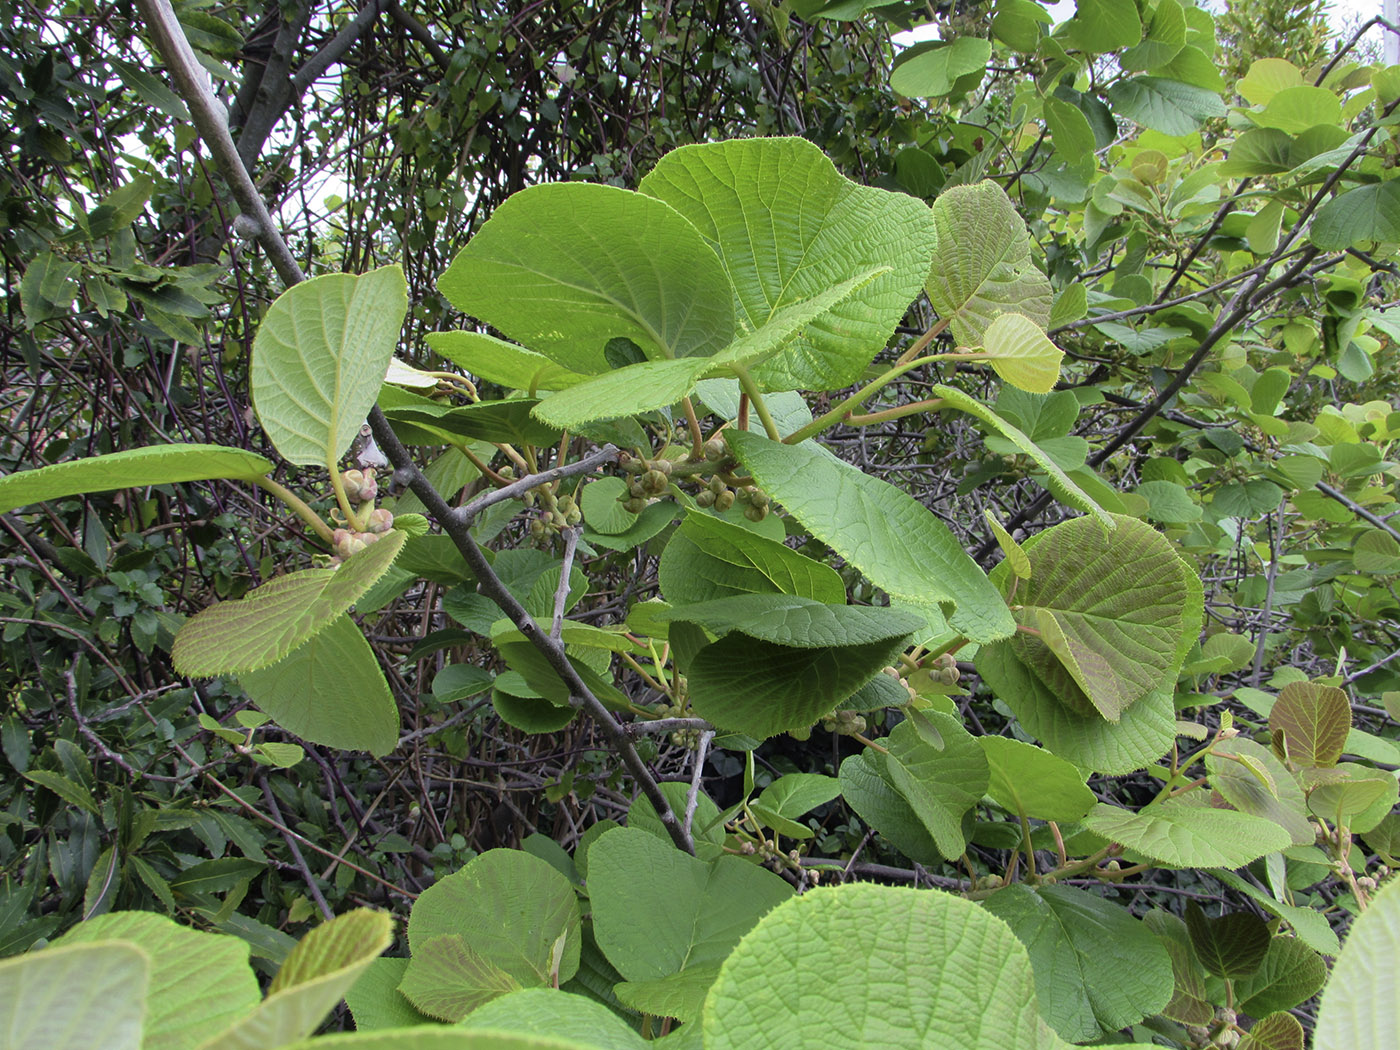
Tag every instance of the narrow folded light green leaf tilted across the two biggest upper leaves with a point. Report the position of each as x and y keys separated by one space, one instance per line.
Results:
x=650 y=386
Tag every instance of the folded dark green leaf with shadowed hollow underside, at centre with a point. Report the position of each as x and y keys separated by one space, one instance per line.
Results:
x=764 y=664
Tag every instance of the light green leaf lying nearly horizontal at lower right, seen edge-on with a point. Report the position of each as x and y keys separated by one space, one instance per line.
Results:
x=1189 y=836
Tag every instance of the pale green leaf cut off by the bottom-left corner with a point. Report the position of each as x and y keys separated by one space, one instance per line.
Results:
x=75 y=997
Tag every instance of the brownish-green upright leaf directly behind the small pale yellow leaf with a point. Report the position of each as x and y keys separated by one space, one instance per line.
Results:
x=982 y=267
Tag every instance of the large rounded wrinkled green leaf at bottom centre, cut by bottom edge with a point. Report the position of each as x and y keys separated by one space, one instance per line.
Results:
x=796 y=974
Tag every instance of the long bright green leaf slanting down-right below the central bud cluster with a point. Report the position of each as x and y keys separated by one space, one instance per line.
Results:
x=897 y=542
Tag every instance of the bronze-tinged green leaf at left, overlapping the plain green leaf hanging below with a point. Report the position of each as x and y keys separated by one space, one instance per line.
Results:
x=279 y=617
